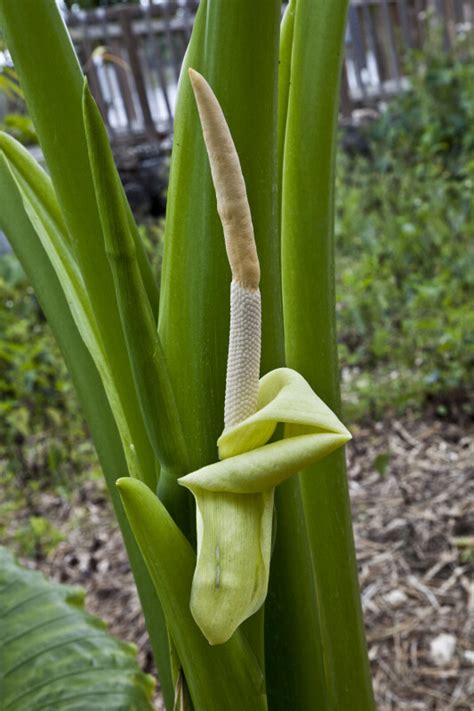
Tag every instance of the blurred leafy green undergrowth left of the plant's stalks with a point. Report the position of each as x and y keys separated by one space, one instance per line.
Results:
x=42 y=434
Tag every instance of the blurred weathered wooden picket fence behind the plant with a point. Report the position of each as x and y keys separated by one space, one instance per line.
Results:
x=132 y=55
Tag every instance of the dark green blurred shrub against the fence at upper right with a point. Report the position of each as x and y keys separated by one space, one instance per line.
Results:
x=434 y=120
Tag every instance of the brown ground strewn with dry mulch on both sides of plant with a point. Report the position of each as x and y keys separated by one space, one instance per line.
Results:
x=412 y=490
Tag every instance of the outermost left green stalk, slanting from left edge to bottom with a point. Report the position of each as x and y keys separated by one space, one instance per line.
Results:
x=28 y=248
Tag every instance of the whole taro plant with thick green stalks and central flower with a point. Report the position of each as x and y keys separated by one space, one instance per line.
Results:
x=242 y=554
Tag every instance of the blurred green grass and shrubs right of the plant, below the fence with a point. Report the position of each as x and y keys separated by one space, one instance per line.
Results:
x=406 y=261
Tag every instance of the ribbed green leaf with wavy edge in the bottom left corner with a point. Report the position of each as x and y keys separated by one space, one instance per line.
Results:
x=55 y=655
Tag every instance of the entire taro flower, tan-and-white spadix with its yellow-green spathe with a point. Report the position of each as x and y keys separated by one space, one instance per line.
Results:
x=234 y=497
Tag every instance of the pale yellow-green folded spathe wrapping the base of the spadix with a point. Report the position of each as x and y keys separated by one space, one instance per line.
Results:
x=234 y=498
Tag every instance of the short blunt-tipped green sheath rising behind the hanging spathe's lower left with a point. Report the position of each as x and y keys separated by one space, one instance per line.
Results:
x=226 y=677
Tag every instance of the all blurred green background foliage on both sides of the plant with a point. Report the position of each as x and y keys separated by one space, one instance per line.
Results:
x=405 y=288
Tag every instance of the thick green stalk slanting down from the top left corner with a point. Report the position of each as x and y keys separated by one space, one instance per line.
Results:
x=51 y=80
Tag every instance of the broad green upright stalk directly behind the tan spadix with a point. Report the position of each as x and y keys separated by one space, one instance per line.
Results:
x=234 y=45
